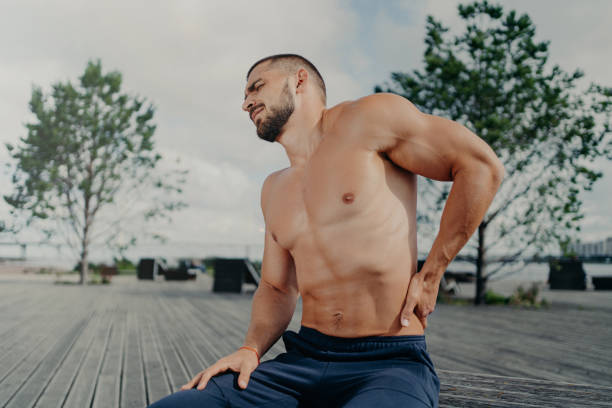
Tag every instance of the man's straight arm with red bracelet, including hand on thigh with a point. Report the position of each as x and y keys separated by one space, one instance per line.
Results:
x=272 y=308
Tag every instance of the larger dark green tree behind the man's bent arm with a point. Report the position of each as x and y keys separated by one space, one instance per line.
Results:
x=494 y=78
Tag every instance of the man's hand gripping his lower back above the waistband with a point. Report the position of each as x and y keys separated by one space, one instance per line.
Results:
x=420 y=299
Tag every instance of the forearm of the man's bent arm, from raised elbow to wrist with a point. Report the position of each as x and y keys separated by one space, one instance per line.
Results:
x=470 y=196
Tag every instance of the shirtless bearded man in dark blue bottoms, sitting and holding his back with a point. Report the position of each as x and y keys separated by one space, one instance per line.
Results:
x=341 y=232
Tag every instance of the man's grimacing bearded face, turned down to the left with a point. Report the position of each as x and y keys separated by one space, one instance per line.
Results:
x=268 y=101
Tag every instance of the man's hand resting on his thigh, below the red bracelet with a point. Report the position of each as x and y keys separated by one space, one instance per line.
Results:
x=242 y=361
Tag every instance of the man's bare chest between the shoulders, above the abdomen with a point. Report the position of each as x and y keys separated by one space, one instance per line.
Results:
x=337 y=191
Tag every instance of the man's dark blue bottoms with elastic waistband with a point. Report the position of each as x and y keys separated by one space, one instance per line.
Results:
x=324 y=371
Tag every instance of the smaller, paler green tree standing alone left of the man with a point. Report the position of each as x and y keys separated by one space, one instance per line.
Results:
x=89 y=149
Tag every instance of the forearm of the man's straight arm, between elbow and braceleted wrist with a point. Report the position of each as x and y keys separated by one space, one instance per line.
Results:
x=270 y=315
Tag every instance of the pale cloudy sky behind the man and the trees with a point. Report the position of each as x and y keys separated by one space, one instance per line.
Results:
x=189 y=58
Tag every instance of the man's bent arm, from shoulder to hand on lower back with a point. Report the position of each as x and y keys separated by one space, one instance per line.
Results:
x=443 y=150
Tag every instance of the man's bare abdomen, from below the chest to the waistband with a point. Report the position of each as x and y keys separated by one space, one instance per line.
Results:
x=355 y=285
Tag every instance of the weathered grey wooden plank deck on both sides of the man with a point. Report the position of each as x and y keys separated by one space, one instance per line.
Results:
x=131 y=343
